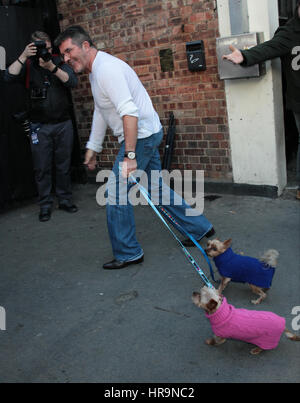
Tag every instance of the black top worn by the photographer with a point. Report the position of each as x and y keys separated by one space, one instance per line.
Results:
x=56 y=106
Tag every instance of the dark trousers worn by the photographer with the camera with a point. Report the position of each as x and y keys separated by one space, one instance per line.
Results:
x=53 y=149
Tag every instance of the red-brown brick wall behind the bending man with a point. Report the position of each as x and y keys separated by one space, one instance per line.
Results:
x=136 y=31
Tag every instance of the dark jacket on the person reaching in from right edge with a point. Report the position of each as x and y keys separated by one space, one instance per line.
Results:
x=283 y=44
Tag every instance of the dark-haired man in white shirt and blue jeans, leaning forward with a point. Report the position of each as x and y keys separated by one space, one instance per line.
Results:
x=123 y=104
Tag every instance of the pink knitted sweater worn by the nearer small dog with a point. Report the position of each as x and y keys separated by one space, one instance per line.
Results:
x=261 y=328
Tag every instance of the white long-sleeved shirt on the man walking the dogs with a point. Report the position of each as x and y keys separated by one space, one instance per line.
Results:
x=117 y=92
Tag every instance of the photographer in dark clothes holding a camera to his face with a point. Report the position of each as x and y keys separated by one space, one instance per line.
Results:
x=46 y=79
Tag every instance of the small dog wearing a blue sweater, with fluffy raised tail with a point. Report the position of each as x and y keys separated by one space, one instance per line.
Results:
x=258 y=273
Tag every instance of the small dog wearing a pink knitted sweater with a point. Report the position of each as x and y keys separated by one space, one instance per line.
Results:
x=261 y=328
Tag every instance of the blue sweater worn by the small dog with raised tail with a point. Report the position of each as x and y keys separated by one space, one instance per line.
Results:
x=244 y=269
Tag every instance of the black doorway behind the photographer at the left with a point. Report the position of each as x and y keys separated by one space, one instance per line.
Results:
x=18 y=19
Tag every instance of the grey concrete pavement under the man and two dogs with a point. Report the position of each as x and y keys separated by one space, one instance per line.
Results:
x=67 y=320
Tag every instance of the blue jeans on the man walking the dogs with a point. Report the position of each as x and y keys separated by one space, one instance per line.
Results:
x=120 y=217
